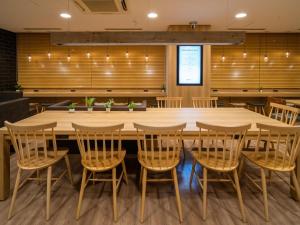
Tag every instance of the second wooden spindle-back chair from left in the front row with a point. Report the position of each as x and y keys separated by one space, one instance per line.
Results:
x=100 y=158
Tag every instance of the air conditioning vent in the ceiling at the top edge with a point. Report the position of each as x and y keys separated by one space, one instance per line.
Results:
x=101 y=6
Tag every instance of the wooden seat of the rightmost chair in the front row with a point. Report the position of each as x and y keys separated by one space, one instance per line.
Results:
x=272 y=164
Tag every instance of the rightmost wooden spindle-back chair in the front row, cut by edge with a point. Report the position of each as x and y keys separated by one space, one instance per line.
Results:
x=278 y=157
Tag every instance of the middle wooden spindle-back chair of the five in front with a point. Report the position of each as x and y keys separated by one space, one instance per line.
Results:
x=159 y=152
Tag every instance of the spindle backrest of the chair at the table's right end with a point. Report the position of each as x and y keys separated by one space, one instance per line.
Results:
x=284 y=113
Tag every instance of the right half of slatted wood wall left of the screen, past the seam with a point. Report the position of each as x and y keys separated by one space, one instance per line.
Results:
x=133 y=71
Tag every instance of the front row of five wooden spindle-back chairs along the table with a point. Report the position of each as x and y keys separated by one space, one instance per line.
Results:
x=217 y=149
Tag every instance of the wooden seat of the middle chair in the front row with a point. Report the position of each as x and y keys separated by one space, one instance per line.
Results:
x=158 y=164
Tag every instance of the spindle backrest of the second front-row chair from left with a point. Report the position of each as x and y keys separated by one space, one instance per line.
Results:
x=98 y=143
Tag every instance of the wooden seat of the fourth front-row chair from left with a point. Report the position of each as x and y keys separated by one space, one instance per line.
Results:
x=214 y=163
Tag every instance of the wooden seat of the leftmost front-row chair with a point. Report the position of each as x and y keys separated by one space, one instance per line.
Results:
x=42 y=162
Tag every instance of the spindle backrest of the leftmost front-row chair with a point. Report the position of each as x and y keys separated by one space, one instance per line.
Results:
x=30 y=142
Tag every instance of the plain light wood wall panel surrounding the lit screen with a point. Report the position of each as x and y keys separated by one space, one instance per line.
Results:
x=187 y=92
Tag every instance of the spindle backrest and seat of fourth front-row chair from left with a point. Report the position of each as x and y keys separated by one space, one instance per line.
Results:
x=219 y=140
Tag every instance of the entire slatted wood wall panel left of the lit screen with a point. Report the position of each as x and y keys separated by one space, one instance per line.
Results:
x=83 y=72
